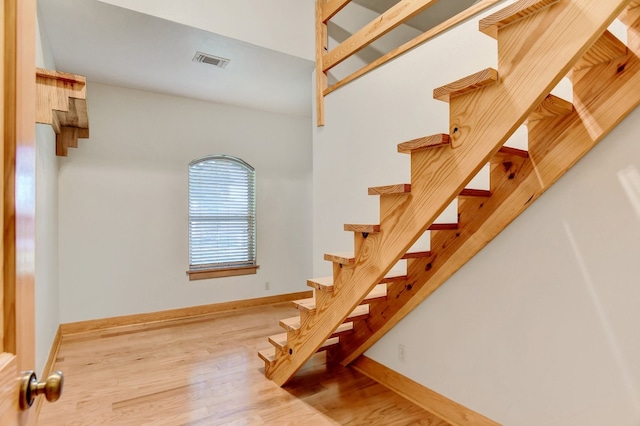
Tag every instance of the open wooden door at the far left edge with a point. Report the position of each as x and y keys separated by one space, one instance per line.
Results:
x=17 y=125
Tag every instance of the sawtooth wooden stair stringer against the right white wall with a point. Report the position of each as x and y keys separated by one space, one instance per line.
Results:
x=603 y=98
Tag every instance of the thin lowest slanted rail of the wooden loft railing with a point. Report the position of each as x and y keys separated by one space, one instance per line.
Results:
x=422 y=38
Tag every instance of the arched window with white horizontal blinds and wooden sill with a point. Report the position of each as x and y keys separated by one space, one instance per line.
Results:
x=222 y=217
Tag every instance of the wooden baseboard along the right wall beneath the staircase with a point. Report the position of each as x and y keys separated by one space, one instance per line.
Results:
x=440 y=406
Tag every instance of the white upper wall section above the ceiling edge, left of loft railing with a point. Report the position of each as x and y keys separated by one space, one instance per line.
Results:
x=283 y=25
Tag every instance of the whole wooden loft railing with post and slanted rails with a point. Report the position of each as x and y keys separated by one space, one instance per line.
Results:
x=398 y=14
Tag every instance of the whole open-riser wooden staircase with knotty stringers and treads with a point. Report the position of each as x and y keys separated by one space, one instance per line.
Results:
x=539 y=42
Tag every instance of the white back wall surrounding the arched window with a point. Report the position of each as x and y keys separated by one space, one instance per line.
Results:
x=123 y=203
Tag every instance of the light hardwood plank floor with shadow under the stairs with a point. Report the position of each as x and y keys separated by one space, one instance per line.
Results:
x=206 y=371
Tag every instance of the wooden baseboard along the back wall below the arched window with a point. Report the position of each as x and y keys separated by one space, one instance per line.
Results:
x=143 y=321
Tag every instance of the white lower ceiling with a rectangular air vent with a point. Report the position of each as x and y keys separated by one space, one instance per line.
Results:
x=112 y=45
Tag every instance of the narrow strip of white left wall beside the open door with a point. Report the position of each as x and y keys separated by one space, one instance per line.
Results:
x=46 y=278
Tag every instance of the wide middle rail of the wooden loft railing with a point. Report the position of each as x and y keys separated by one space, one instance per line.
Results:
x=393 y=17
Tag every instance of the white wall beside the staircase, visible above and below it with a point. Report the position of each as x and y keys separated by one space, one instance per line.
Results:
x=541 y=327
